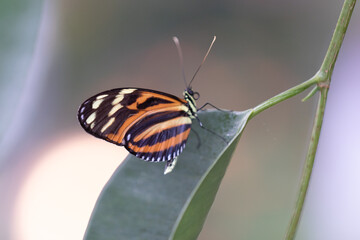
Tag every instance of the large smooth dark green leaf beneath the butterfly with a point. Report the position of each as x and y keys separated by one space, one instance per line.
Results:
x=140 y=202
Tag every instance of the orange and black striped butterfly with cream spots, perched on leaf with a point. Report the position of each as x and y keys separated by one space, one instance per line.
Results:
x=151 y=125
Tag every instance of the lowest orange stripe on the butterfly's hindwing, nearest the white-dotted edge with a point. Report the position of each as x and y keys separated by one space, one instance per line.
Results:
x=161 y=146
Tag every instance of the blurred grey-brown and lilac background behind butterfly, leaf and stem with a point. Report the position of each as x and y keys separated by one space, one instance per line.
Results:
x=56 y=54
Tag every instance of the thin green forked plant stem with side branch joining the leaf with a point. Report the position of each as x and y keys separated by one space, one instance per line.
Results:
x=322 y=79
